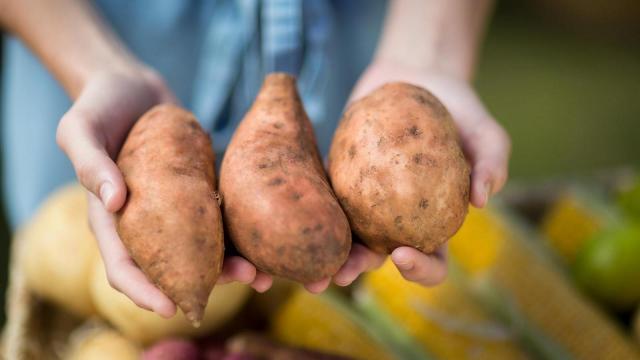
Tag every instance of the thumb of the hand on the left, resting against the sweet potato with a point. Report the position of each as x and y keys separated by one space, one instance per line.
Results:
x=95 y=170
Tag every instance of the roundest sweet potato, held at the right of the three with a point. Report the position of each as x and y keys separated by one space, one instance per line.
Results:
x=398 y=171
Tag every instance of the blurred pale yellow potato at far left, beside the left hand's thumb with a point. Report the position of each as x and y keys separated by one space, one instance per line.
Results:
x=59 y=250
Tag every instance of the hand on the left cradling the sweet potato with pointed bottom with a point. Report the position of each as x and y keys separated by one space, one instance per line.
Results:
x=91 y=134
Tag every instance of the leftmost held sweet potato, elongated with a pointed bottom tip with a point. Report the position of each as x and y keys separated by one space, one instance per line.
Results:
x=171 y=223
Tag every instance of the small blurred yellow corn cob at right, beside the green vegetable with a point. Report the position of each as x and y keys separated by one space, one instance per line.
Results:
x=573 y=219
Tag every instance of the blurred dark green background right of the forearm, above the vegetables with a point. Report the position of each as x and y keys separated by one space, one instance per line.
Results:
x=563 y=77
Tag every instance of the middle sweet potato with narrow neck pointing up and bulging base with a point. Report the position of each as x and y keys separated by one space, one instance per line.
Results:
x=279 y=209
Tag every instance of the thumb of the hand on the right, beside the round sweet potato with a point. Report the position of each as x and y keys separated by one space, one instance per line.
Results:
x=488 y=147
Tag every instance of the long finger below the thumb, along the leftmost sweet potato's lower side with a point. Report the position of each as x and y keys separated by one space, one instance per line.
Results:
x=122 y=273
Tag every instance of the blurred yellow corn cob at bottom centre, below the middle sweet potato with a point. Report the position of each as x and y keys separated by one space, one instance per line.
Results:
x=326 y=323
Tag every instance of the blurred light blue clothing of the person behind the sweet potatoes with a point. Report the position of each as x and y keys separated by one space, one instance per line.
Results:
x=212 y=53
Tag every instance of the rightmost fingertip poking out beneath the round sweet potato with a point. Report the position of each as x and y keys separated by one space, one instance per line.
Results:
x=425 y=269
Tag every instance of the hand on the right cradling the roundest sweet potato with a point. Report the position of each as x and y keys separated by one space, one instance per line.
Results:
x=485 y=143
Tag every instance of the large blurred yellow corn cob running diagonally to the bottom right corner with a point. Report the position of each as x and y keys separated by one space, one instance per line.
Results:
x=532 y=294
